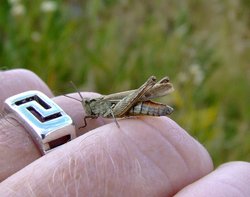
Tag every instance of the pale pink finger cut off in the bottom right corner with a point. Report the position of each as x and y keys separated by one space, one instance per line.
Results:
x=231 y=179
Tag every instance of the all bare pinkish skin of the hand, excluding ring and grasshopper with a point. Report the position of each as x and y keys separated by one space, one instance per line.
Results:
x=144 y=157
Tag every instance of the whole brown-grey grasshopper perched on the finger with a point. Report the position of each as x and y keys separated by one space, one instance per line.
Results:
x=130 y=103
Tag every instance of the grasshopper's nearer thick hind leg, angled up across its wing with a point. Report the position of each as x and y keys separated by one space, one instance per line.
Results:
x=123 y=106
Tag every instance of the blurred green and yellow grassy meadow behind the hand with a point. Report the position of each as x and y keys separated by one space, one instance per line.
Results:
x=109 y=46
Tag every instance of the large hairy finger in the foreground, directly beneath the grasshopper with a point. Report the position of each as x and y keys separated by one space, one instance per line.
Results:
x=144 y=157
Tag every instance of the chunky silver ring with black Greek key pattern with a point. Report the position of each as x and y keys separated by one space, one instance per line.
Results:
x=45 y=121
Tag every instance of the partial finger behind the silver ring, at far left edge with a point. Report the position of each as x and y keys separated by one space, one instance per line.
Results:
x=19 y=80
